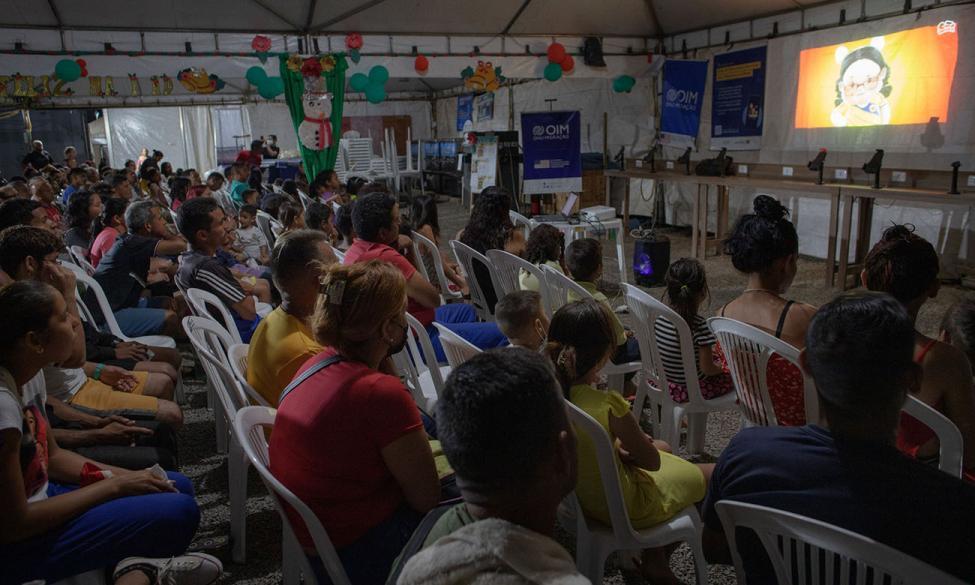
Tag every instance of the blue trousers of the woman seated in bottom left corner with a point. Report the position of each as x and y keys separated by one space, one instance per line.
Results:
x=154 y=525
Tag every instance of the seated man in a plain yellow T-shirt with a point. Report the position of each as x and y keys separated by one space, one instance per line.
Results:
x=284 y=340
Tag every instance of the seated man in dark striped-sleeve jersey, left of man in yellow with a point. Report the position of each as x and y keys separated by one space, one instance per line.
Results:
x=201 y=221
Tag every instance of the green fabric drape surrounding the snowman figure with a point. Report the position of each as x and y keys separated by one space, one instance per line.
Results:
x=316 y=161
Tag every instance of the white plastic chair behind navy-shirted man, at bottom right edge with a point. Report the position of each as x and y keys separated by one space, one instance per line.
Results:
x=787 y=538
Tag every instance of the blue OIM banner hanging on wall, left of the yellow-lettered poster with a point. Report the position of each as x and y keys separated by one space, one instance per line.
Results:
x=683 y=97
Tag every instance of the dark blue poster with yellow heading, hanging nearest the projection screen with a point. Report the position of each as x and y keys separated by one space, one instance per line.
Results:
x=738 y=99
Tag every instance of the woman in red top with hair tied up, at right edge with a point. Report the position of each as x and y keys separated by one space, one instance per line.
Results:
x=905 y=265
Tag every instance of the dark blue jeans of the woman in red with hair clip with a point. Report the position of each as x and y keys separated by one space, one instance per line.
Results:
x=368 y=560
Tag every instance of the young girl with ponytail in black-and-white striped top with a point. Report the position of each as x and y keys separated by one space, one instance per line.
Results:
x=687 y=289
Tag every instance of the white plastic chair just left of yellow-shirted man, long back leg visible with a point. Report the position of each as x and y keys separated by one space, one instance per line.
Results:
x=210 y=341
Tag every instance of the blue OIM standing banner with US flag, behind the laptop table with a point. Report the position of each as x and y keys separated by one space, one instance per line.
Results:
x=551 y=142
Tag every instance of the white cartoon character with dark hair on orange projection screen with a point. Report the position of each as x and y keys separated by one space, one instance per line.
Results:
x=863 y=86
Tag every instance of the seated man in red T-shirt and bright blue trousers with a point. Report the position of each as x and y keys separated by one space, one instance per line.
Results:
x=376 y=219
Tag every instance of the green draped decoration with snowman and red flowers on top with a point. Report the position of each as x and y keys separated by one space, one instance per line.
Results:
x=316 y=103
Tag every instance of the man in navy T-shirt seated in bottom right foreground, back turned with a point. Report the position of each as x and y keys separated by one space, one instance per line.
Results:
x=846 y=470
